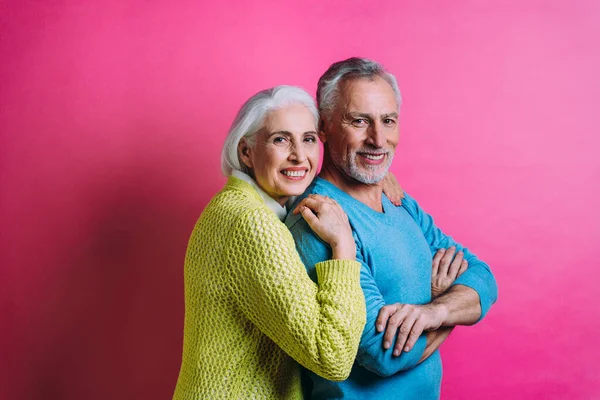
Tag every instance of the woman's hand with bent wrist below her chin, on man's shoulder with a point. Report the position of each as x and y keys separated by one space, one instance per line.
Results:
x=327 y=219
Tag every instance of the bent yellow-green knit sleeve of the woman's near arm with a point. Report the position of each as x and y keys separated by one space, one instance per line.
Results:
x=318 y=325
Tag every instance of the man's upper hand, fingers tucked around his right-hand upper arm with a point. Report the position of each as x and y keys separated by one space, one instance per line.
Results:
x=445 y=270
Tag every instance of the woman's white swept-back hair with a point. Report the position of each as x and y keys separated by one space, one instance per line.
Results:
x=251 y=117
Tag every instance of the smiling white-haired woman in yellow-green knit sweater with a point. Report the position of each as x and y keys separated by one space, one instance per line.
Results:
x=252 y=312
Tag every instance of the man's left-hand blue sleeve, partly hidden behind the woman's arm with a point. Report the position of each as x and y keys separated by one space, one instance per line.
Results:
x=371 y=354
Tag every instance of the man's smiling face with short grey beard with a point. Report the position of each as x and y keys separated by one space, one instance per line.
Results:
x=362 y=133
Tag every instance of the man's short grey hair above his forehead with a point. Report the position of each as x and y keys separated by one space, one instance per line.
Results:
x=328 y=89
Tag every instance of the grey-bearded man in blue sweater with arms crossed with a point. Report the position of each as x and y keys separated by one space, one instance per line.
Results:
x=359 y=104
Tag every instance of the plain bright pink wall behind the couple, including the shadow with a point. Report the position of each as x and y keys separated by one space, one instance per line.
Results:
x=112 y=117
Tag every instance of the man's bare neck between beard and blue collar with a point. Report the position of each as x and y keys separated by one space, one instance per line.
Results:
x=365 y=193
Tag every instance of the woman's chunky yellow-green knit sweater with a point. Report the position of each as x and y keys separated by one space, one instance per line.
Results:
x=251 y=309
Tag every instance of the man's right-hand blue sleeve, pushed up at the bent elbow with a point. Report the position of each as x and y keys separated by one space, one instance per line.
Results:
x=478 y=275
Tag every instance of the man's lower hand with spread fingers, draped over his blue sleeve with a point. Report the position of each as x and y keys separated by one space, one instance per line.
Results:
x=409 y=321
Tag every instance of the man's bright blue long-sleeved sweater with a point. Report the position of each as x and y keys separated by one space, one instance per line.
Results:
x=395 y=249
